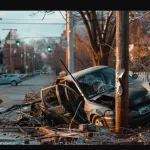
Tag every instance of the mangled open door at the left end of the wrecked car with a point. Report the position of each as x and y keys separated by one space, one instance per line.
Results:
x=55 y=111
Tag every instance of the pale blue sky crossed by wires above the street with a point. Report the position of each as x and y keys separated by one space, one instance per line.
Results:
x=32 y=26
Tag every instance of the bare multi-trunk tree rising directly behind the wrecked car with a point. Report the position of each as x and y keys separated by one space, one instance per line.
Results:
x=101 y=36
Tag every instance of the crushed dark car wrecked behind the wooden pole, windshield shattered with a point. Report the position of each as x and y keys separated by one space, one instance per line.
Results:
x=88 y=96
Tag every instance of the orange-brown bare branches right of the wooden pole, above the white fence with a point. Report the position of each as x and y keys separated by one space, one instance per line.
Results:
x=139 y=38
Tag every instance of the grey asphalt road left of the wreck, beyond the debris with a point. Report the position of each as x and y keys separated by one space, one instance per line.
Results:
x=15 y=94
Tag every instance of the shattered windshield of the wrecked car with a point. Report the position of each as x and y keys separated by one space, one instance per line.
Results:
x=97 y=82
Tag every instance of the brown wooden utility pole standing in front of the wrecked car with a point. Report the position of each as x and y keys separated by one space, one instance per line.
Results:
x=122 y=70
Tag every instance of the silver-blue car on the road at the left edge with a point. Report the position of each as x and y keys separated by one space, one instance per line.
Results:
x=12 y=79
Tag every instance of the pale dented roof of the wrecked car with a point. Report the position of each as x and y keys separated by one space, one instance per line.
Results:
x=81 y=73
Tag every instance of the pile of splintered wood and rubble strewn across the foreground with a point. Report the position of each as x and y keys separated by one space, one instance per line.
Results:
x=26 y=124
